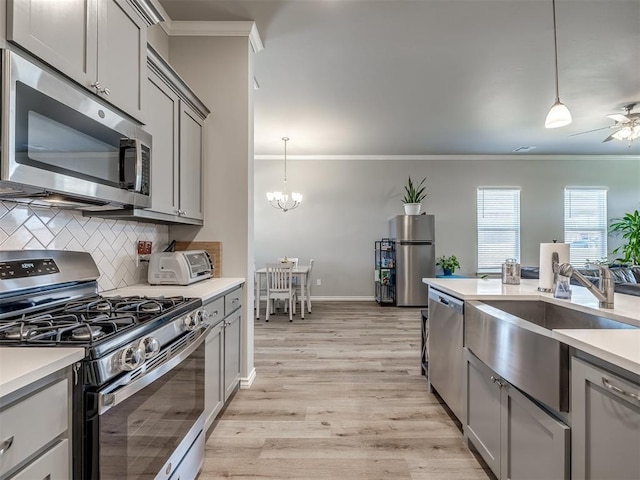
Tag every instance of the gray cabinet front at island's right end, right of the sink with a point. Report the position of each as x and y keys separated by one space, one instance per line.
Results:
x=605 y=419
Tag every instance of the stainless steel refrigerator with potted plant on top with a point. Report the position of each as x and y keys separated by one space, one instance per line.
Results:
x=415 y=257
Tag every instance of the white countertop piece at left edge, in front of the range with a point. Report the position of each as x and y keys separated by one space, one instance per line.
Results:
x=20 y=366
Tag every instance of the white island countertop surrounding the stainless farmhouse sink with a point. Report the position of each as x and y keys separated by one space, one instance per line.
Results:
x=619 y=347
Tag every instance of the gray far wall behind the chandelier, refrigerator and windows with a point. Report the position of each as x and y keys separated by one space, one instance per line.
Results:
x=347 y=205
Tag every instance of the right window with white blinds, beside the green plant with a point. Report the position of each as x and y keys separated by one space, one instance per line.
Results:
x=585 y=224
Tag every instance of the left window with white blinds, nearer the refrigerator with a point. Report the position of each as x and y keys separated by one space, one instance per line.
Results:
x=498 y=227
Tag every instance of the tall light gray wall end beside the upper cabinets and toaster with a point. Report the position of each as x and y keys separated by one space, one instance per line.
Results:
x=219 y=70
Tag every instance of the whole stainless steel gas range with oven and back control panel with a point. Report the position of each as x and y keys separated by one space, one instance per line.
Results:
x=143 y=364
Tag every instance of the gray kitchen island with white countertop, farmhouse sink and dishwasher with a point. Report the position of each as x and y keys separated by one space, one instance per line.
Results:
x=530 y=385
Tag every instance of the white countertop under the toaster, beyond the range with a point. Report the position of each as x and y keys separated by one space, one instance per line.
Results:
x=206 y=289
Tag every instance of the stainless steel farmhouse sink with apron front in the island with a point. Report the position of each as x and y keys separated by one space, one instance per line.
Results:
x=514 y=339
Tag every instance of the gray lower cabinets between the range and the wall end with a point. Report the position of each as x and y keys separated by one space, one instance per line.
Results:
x=222 y=352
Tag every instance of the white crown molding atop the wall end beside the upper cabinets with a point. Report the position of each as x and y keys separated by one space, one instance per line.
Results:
x=218 y=29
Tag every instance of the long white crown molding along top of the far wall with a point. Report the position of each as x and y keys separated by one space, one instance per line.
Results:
x=451 y=157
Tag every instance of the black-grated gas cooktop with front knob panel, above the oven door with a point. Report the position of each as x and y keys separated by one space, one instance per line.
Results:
x=118 y=333
